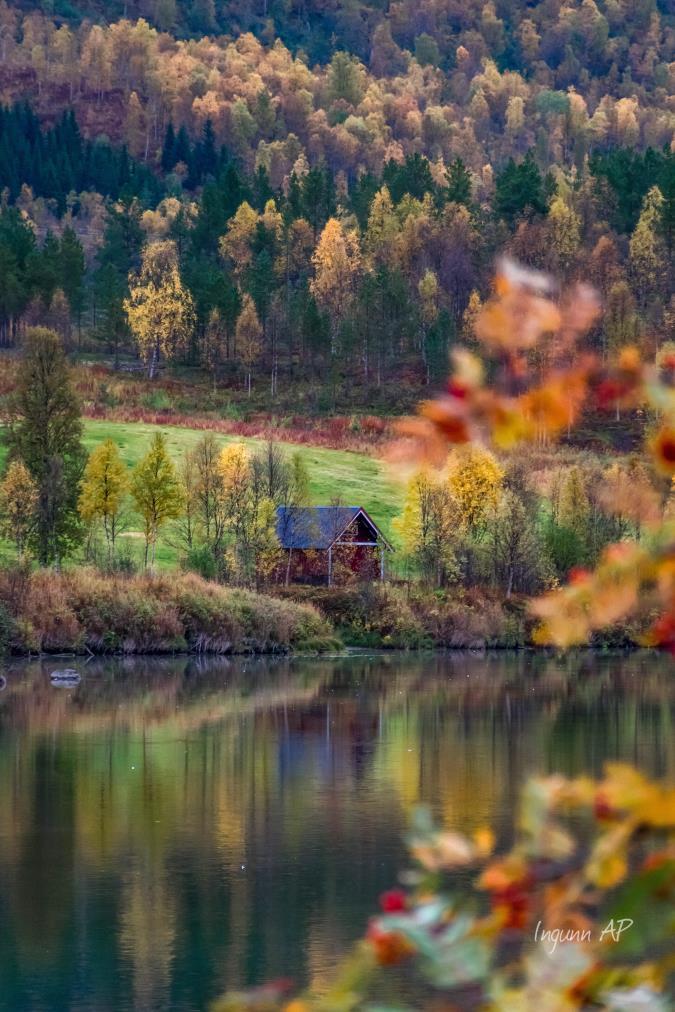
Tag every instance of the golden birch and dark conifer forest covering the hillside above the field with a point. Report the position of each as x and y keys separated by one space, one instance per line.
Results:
x=294 y=199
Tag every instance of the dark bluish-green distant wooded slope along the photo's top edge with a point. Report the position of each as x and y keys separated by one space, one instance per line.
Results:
x=381 y=31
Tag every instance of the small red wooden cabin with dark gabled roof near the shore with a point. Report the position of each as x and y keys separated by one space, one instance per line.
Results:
x=331 y=545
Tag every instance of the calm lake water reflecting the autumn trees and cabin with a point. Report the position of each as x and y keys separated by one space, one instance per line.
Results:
x=173 y=829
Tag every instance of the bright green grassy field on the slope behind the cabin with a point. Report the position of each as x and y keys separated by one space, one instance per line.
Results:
x=356 y=479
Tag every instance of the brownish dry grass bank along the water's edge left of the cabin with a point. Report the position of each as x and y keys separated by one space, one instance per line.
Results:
x=80 y=611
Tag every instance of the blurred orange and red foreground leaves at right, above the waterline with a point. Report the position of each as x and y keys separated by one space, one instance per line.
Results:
x=525 y=317
